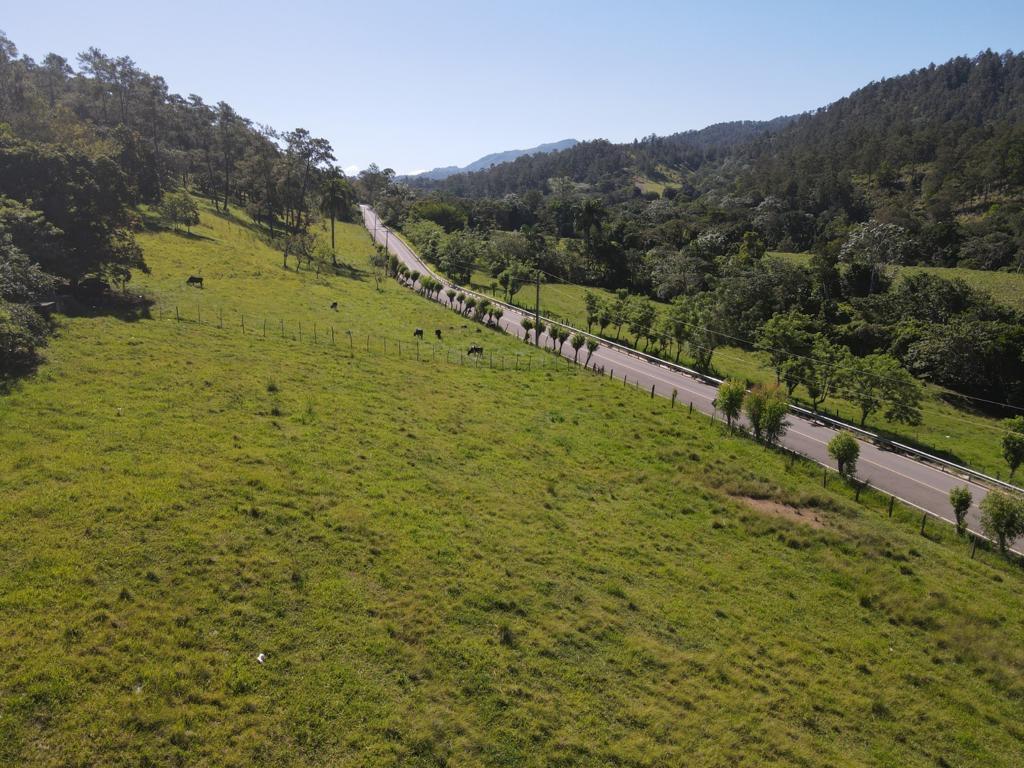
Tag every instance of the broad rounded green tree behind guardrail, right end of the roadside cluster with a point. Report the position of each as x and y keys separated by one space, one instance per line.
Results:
x=878 y=381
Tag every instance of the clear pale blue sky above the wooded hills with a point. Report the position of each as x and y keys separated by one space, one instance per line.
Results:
x=413 y=86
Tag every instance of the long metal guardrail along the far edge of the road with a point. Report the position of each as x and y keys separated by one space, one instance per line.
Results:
x=804 y=413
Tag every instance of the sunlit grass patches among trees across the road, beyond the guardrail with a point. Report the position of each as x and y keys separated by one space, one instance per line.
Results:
x=965 y=437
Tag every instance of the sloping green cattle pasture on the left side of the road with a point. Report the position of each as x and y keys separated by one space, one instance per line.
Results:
x=451 y=566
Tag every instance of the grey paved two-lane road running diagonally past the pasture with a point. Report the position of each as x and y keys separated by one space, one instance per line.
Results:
x=912 y=482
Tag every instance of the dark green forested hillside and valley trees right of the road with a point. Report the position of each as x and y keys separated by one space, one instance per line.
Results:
x=925 y=169
